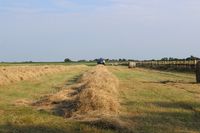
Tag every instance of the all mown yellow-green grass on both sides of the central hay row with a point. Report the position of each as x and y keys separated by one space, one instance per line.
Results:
x=152 y=101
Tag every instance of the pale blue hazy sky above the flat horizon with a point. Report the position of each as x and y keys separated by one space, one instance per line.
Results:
x=51 y=30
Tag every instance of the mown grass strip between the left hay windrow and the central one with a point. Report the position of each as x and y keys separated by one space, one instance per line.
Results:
x=22 y=119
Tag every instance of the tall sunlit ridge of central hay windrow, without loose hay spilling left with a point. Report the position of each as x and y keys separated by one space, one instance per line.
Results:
x=99 y=94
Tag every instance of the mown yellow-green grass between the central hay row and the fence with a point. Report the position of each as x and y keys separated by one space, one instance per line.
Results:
x=159 y=102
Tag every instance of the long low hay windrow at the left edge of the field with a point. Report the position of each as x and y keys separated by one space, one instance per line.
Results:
x=12 y=74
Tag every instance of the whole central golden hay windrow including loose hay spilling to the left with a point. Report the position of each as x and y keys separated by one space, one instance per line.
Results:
x=93 y=99
